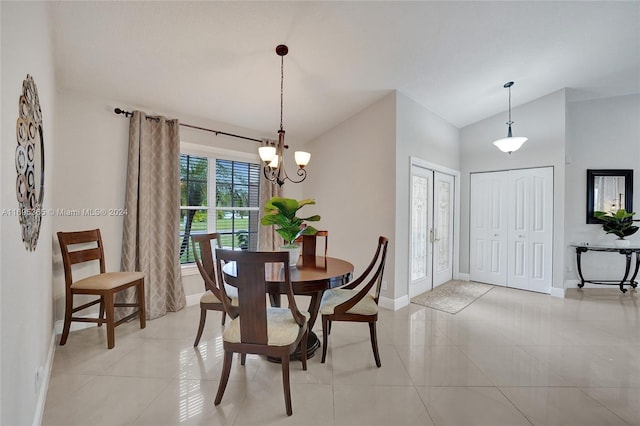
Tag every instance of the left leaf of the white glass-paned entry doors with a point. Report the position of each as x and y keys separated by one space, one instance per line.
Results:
x=421 y=222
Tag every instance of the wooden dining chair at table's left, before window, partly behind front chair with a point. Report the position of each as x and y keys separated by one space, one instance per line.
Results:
x=210 y=299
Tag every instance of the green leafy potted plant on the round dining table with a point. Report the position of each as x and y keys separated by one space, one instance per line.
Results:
x=281 y=213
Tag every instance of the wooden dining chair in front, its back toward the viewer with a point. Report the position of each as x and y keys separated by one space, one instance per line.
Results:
x=256 y=328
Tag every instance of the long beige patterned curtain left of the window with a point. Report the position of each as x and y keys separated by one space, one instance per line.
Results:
x=150 y=241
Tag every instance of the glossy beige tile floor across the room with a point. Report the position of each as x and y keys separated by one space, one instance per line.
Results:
x=510 y=358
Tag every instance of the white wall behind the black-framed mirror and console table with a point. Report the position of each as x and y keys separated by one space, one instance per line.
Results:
x=601 y=134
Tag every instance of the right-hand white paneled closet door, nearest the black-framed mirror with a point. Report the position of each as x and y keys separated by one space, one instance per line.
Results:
x=530 y=229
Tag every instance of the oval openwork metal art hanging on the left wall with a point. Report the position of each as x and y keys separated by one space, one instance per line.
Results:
x=30 y=163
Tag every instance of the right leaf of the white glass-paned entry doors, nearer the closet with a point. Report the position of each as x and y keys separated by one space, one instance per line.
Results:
x=443 y=190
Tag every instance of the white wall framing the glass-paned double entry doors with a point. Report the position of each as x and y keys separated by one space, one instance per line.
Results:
x=421 y=134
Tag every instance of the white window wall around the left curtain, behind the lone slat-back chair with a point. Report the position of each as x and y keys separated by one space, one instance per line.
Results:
x=91 y=159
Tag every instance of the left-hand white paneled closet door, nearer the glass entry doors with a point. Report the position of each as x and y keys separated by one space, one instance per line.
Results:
x=488 y=228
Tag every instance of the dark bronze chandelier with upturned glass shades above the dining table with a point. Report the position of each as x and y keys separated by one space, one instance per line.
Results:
x=273 y=156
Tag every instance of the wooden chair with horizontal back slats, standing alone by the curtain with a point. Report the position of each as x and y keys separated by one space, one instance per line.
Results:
x=105 y=284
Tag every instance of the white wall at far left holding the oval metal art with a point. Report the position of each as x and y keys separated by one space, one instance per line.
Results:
x=26 y=312
